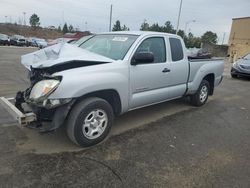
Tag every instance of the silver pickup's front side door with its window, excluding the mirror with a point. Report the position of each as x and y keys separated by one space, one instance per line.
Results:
x=149 y=81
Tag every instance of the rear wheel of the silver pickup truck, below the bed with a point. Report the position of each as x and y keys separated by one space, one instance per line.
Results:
x=201 y=96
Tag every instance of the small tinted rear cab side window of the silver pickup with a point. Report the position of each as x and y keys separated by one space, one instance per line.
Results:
x=176 y=49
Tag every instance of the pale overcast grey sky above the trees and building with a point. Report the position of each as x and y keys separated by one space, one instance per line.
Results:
x=93 y=15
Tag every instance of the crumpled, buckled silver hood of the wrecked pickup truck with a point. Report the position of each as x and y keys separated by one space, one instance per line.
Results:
x=59 y=54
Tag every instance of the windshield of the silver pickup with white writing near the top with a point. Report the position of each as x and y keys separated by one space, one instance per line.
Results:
x=111 y=46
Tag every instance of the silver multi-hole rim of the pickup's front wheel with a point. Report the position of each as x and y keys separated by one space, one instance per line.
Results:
x=95 y=124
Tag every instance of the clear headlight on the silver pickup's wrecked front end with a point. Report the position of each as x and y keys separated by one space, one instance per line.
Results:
x=43 y=88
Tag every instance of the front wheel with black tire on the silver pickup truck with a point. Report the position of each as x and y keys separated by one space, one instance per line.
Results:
x=99 y=116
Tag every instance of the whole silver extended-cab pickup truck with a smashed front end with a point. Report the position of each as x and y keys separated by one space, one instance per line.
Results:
x=84 y=86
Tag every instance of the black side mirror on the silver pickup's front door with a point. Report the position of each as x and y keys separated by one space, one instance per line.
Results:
x=142 y=58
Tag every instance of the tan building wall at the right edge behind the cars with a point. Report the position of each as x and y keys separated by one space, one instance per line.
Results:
x=239 y=39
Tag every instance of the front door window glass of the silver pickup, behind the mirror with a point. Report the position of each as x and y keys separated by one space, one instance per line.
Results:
x=155 y=45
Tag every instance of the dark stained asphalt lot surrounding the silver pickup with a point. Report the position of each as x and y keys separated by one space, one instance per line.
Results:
x=173 y=144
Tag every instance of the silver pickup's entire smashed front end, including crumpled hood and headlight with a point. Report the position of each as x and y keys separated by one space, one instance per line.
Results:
x=44 y=66
